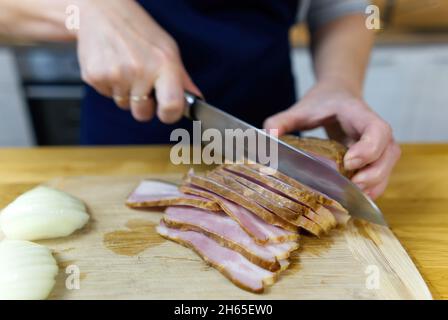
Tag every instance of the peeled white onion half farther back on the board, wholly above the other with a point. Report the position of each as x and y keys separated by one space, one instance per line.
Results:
x=43 y=213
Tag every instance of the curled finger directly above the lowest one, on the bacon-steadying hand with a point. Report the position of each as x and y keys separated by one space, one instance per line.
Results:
x=374 y=139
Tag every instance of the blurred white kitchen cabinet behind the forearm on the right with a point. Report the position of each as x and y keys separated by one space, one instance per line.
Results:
x=406 y=85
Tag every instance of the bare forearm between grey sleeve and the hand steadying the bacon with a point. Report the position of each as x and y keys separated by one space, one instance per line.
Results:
x=341 y=51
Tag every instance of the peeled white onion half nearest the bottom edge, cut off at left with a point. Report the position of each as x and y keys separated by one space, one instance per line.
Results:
x=27 y=270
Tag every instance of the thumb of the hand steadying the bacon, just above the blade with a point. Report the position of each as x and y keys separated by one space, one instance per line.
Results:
x=295 y=118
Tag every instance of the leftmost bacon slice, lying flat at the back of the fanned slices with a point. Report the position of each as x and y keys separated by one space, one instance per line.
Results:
x=151 y=193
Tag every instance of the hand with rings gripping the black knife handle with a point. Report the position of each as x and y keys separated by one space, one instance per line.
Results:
x=125 y=54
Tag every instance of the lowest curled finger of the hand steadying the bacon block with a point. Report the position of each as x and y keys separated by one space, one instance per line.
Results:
x=379 y=171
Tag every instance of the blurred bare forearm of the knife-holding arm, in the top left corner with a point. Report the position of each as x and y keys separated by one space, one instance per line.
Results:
x=35 y=20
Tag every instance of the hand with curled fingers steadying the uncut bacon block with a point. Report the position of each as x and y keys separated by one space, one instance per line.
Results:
x=348 y=119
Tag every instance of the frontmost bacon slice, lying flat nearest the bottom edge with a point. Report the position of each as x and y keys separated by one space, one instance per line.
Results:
x=231 y=264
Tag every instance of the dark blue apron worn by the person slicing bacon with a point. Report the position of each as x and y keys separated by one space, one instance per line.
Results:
x=237 y=53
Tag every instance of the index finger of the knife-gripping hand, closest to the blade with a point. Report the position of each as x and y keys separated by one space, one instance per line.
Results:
x=170 y=96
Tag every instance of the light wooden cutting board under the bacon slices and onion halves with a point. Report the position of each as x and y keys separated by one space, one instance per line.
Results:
x=120 y=256
